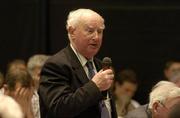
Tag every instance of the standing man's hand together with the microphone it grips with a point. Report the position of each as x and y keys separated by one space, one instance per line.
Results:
x=104 y=78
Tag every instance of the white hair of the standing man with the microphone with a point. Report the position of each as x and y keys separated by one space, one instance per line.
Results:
x=74 y=18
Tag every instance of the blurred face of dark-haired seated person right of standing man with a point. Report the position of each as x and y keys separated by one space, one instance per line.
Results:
x=126 y=89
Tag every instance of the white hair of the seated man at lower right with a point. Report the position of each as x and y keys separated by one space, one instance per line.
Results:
x=162 y=91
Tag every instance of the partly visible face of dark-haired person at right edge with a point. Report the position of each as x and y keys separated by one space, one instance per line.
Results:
x=174 y=67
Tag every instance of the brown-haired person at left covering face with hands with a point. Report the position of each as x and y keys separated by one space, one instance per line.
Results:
x=19 y=85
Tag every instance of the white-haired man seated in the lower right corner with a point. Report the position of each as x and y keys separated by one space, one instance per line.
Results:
x=163 y=97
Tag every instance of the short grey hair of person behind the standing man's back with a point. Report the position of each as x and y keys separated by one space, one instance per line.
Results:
x=37 y=60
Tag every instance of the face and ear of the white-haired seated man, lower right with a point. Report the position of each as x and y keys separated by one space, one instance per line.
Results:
x=163 y=109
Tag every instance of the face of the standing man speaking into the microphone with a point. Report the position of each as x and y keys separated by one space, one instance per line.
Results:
x=87 y=35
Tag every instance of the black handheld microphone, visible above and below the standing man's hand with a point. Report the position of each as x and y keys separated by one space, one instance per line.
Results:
x=106 y=64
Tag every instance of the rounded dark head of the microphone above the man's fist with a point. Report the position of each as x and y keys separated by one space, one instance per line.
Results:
x=106 y=63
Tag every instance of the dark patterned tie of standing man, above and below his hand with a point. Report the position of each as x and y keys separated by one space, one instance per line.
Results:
x=103 y=108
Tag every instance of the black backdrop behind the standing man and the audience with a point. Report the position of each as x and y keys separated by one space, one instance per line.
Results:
x=140 y=34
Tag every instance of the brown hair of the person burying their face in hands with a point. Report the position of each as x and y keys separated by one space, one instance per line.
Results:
x=14 y=76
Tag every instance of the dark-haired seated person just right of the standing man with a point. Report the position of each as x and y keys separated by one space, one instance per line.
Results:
x=124 y=89
